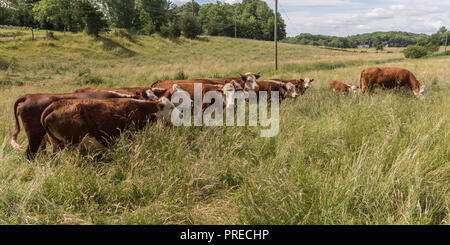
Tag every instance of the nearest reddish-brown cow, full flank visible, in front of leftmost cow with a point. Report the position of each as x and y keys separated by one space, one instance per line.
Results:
x=98 y=121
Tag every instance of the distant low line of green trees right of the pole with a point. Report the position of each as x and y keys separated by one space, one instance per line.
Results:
x=375 y=39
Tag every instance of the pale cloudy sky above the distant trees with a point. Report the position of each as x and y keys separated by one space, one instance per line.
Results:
x=348 y=17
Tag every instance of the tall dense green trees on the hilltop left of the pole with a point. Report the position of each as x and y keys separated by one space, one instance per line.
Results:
x=250 y=19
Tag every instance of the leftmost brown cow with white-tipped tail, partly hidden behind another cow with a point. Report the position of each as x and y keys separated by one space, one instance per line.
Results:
x=30 y=107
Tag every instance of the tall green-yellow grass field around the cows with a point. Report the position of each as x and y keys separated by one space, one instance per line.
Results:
x=379 y=159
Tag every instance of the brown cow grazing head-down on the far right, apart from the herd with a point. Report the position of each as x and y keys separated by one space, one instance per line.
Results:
x=390 y=77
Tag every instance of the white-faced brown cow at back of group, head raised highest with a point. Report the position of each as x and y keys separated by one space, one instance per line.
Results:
x=246 y=81
